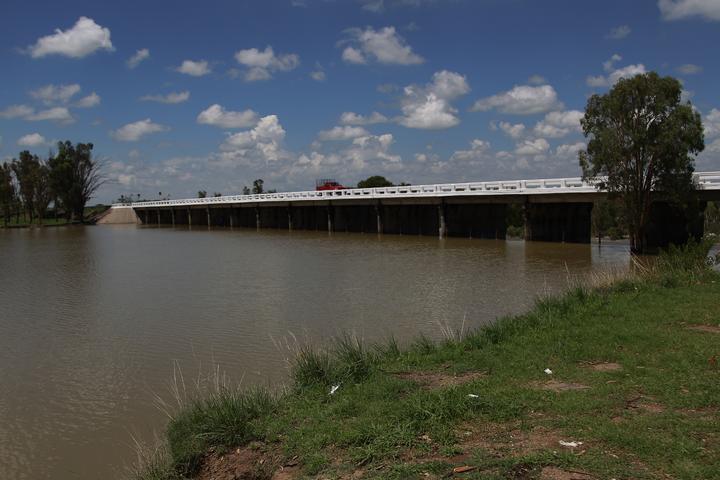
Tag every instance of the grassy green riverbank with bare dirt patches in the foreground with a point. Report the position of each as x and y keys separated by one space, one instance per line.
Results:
x=615 y=379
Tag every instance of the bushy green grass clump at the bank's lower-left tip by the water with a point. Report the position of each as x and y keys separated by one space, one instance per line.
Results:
x=226 y=418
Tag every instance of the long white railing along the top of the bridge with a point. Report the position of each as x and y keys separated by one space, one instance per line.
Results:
x=705 y=181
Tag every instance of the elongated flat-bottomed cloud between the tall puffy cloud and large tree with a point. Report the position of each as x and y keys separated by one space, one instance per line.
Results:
x=521 y=100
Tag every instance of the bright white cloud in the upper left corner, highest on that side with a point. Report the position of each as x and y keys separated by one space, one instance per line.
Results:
x=84 y=38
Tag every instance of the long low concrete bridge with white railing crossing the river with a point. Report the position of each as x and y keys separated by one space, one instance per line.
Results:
x=556 y=210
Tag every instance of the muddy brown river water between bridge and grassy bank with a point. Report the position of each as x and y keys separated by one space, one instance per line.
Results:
x=93 y=320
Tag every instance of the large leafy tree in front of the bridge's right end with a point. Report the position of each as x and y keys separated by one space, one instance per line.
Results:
x=642 y=139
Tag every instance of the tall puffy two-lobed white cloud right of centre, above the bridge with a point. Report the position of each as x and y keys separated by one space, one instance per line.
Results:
x=430 y=107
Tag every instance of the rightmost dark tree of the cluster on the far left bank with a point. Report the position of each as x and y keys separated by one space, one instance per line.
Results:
x=75 y=176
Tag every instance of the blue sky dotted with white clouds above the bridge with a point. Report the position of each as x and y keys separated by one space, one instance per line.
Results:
x=182 y=96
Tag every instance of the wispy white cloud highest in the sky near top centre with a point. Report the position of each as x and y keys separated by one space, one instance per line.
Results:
x=383 y=45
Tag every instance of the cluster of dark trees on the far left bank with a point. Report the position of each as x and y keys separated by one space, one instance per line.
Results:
x=67 y=179
